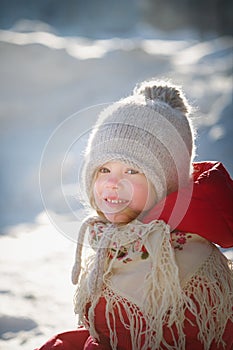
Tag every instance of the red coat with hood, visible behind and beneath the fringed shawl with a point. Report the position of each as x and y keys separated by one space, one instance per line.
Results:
x=210 y=214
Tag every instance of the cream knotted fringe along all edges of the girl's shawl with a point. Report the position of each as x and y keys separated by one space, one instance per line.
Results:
x=207 y=295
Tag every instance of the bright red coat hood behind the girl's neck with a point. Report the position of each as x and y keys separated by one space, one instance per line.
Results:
x=210 y=212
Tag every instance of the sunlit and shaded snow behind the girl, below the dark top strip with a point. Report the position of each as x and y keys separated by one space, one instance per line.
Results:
x=52 y=88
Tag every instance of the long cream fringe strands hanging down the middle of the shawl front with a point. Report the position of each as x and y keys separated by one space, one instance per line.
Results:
x=164 y=300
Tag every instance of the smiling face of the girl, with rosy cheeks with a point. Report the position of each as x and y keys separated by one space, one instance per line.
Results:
x=122 y=193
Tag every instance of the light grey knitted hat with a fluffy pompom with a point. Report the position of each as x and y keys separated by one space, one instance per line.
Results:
x=148 y=130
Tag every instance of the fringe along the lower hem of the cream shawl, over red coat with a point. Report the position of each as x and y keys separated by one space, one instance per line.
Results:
x=207 y=295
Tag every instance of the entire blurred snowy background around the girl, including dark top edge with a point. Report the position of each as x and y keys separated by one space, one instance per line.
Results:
x=56 y=60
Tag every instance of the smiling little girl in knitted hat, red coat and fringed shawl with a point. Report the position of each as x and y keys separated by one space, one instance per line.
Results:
x=154 y=278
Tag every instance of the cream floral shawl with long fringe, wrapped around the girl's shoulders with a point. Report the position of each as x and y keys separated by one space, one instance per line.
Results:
x=134 y=266
